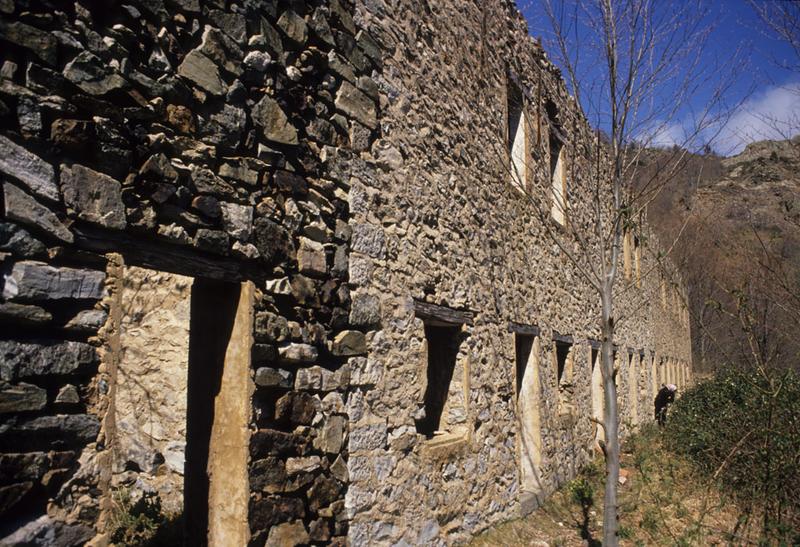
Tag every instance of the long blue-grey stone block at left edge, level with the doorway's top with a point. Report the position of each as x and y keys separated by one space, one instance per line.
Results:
x=37 y=281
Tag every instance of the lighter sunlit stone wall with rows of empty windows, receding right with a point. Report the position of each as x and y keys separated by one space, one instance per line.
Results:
x=440 y=222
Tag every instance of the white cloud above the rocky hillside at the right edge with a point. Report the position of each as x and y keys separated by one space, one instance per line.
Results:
x=771 y=114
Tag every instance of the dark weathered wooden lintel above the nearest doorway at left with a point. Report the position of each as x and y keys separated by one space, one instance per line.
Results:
x=157 y=255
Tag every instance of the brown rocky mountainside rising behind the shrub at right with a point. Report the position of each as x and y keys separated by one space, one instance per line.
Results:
x=740 y=251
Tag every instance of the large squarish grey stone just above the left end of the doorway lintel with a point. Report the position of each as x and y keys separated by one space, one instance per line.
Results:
x=95 y=197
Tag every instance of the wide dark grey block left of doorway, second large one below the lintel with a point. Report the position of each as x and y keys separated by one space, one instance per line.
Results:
x=21 y=360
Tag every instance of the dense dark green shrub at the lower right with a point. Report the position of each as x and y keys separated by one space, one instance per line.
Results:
x=743 y=429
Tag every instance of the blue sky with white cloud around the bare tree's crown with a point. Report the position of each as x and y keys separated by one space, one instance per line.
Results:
x=767 y=95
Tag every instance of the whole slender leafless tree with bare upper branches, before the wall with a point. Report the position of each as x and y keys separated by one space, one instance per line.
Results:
x=633 y=65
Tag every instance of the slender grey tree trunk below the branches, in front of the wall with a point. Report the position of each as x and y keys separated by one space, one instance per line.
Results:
x=611 y=420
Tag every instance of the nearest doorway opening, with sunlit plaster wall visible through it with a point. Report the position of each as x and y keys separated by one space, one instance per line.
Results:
x=182 y=403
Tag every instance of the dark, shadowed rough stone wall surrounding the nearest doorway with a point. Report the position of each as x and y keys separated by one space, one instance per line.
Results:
x=206 y=138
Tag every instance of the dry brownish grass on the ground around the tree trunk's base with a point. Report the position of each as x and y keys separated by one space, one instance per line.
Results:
x=664 y=501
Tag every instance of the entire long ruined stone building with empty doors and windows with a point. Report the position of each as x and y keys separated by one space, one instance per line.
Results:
x=276 y=265
